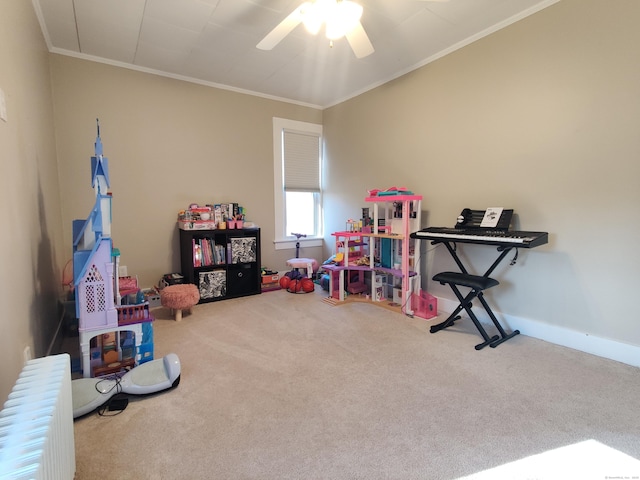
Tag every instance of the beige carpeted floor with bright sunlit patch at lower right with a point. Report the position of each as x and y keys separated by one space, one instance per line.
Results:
x=283 y=386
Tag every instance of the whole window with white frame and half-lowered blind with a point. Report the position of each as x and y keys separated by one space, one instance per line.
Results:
x=297 y=151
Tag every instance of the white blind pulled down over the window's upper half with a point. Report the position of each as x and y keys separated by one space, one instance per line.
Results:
x=301 y=162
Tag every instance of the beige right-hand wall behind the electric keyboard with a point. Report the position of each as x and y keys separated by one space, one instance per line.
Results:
x=542 y=117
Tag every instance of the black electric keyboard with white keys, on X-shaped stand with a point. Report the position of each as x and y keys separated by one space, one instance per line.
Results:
x=501 y=238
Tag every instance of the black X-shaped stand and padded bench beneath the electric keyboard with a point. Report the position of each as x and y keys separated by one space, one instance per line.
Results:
x=477 y=284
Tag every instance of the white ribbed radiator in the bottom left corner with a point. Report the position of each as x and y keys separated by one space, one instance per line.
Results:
x=36 y=424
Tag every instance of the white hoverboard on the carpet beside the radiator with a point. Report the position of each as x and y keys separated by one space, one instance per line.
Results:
x=88 y=394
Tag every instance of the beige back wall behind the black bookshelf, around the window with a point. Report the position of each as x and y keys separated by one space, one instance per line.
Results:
x=170 y=143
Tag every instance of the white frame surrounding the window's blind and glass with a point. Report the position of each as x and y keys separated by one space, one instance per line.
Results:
x=282 y=239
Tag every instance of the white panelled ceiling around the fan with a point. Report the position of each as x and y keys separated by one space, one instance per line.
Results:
x=213 y=42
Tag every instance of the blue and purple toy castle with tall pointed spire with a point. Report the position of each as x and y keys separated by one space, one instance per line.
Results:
x=95 y=280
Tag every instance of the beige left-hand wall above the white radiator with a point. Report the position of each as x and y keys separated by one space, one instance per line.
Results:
x=31 y=235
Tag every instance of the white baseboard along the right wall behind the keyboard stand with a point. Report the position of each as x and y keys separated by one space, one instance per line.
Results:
x=584 y=342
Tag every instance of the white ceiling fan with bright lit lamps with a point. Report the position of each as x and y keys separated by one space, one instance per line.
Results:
x=341 y=18
